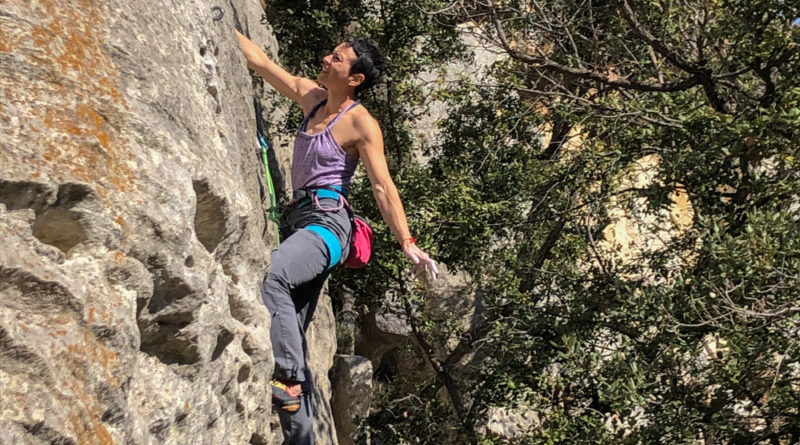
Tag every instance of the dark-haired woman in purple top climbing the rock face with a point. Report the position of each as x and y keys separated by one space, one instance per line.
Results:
x=336 y=133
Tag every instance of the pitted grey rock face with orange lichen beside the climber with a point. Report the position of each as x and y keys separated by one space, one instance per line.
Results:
x=131 y=227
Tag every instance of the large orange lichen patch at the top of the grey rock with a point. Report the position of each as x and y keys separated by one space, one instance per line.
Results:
x=78 y=137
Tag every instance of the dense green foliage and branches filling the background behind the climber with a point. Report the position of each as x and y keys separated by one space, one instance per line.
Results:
x=603 y=348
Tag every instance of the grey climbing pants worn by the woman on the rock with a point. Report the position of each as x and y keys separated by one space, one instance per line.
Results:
x=315 y=241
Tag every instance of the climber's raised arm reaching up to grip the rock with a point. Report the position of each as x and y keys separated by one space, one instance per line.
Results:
x=299 y=89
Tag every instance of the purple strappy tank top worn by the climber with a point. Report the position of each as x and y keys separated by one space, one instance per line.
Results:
x=318 y=160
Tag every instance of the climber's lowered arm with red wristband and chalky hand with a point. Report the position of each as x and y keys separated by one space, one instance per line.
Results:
x=371 y=151
